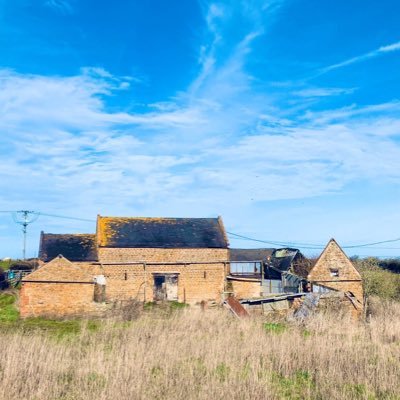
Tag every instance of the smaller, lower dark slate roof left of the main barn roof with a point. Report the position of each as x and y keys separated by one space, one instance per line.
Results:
x=74 y=247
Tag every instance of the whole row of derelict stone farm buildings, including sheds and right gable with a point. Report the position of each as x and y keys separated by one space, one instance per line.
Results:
x=175 y=259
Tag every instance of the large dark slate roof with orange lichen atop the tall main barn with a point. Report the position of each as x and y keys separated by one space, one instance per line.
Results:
x=161 y=232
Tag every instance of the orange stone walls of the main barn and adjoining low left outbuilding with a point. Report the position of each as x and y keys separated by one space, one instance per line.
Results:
x=61 y=288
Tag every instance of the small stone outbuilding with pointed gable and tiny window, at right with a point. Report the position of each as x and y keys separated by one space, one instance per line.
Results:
x=334 y=270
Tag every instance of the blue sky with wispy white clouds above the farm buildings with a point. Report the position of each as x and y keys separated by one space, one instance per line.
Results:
x=282 y=116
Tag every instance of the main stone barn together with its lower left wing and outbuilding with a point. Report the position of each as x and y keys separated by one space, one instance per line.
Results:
x=148 y=259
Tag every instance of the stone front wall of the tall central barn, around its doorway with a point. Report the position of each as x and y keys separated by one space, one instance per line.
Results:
x=196 y=282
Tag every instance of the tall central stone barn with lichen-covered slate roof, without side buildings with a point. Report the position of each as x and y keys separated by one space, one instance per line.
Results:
x=150 y=259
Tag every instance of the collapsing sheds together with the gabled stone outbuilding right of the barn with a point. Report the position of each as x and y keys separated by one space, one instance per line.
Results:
x=287 y=278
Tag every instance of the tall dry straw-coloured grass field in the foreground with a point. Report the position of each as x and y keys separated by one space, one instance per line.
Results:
x=194 y=355
